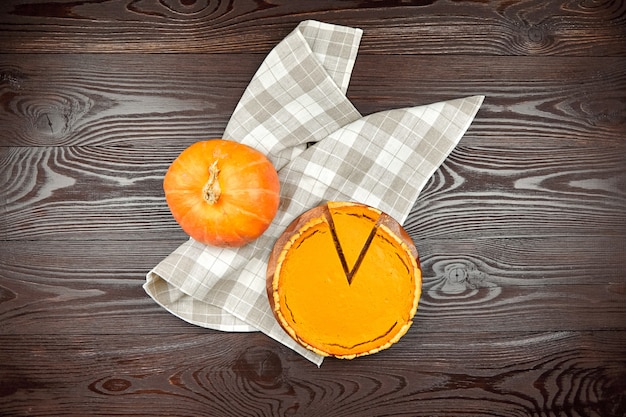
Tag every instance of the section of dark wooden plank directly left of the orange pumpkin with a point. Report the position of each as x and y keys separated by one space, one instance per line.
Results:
x=81 y=192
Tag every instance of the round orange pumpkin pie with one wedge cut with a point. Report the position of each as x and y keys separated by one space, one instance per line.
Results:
x=344 y=280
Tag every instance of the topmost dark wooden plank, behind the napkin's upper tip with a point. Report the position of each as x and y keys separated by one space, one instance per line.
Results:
x=529 y=27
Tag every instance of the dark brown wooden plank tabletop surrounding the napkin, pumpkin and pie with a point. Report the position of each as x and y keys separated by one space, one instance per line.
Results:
x=522 y=232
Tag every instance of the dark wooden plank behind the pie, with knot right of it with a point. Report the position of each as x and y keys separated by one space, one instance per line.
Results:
x=94 y=287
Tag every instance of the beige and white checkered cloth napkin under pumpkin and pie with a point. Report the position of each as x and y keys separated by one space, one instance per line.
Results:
x=296 y=112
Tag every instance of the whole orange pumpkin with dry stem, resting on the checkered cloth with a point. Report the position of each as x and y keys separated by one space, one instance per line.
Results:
x=222 y=193
